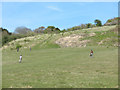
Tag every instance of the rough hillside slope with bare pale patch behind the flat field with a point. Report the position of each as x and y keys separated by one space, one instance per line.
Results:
x=97 y=36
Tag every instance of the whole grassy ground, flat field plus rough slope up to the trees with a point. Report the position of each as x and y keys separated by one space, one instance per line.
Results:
x=63 y=61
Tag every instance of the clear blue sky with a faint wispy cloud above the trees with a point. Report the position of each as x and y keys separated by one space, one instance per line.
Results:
x=58 y=14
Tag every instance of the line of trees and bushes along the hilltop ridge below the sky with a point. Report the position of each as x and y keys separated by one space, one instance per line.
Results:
x=21 y=32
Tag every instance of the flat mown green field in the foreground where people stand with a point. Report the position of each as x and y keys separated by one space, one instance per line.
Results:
x=61 y=68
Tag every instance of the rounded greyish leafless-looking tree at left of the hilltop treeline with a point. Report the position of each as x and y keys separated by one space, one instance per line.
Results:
x=22 y=30
